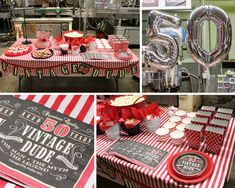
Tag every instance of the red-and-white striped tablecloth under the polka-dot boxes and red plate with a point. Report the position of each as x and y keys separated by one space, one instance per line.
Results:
x=143 y=177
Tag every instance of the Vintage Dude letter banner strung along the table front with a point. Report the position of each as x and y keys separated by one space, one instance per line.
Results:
x=70 y=69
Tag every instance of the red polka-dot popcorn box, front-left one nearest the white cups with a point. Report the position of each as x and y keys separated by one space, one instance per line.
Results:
x=193 y=134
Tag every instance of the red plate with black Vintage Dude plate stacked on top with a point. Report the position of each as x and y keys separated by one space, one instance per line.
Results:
x=190 y=167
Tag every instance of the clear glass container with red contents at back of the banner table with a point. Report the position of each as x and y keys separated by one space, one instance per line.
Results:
x=43 y=39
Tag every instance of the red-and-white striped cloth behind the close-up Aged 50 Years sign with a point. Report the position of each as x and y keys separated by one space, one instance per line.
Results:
x=80 y=107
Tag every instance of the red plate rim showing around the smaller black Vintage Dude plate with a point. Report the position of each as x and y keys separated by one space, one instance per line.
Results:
x=195 y=178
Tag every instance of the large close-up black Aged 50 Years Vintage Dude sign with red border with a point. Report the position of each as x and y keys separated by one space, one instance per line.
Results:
x=41 y=147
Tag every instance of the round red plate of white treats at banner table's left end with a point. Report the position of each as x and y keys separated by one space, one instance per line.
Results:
x=18 y=50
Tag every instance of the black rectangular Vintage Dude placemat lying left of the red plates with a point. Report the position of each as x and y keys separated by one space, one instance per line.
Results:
x=137 y=153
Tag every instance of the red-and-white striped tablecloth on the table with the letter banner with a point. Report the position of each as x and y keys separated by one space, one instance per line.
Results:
x=56 y=61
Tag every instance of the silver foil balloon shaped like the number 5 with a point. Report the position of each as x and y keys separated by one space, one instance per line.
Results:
x=163 y=49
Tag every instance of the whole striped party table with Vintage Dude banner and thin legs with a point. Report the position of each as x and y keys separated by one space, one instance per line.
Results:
x=69 y=65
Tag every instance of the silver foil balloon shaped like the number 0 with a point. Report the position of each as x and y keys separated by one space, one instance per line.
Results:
x=224 y=35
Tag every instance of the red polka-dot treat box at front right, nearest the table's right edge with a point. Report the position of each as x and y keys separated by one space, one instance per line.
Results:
x=214 y=138
